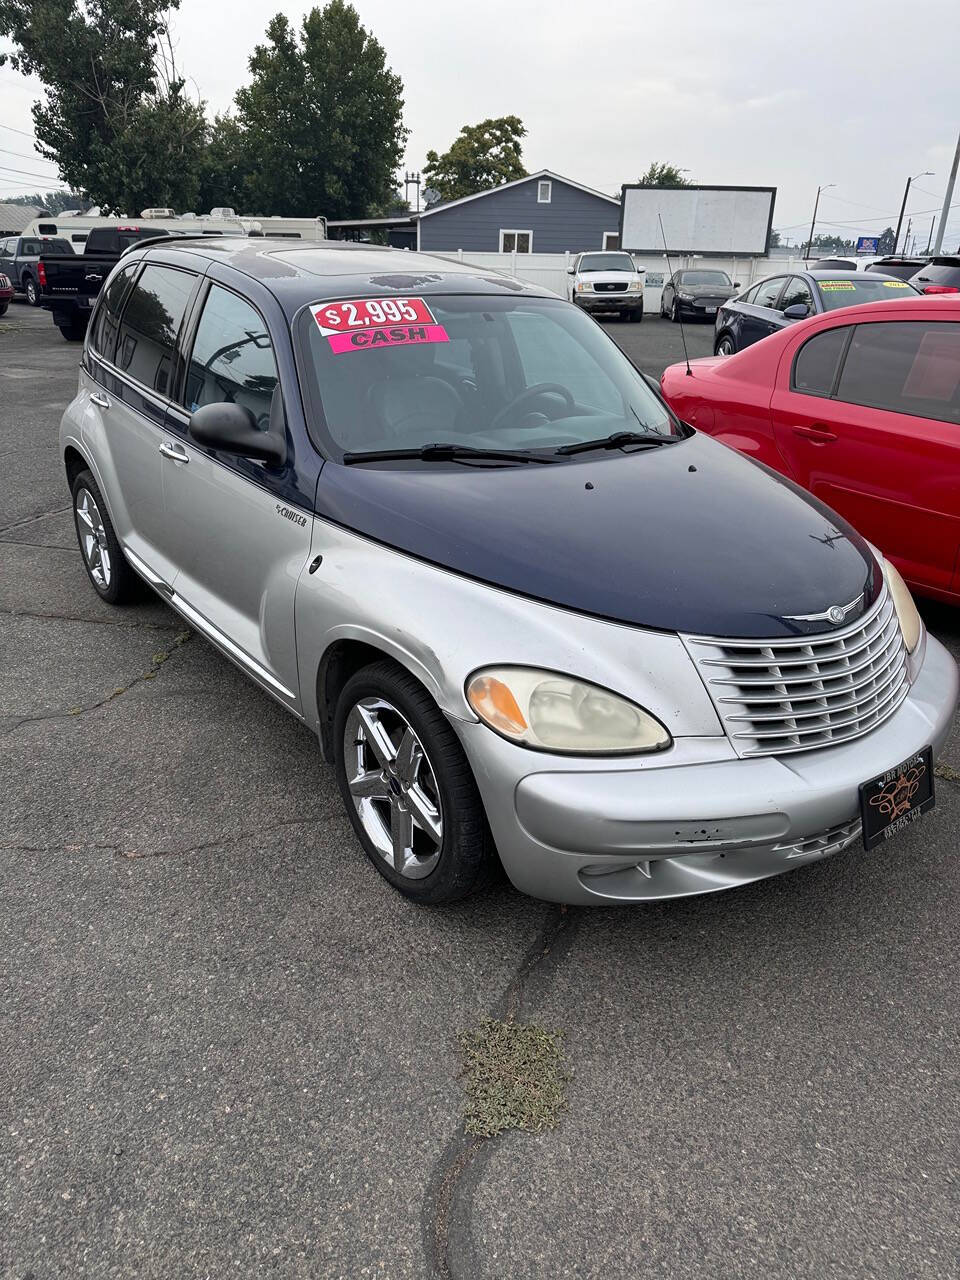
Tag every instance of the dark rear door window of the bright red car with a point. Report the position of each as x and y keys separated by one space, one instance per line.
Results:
x=908 y=368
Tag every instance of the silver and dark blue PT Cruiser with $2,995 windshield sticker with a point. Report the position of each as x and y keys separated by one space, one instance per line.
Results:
x=531 y=616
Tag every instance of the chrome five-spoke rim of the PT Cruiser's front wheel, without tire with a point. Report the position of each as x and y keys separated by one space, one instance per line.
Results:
x=394 y=788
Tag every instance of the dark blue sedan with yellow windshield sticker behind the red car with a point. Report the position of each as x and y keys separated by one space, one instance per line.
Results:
x=783 y=300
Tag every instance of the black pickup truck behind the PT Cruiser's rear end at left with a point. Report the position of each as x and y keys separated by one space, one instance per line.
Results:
x=70 y=282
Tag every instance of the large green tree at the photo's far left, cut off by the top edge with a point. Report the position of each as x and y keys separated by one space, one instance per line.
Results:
x=116 y=120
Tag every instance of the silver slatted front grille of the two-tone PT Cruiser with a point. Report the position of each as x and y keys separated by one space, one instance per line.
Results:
x=794 y=696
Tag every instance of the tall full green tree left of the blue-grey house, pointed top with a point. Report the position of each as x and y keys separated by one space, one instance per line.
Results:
x=319 y=130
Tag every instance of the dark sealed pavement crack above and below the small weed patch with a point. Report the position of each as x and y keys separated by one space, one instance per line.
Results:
x=465 y=1156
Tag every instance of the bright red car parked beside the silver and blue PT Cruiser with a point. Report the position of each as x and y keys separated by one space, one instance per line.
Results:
x=862 y=408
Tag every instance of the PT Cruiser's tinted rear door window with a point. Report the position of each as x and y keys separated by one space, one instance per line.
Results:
x=150 y=323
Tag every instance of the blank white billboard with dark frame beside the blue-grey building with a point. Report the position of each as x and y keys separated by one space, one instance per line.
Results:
x=723 y=221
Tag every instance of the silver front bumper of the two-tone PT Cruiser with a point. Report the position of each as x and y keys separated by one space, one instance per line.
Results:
x=696 y=820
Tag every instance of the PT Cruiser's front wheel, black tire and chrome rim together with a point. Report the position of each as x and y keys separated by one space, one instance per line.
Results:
x=409 y=789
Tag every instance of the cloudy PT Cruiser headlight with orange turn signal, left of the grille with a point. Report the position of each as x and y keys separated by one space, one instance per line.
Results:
x=557 y=714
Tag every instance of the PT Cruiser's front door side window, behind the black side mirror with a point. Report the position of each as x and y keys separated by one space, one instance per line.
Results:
x=232 y=358
